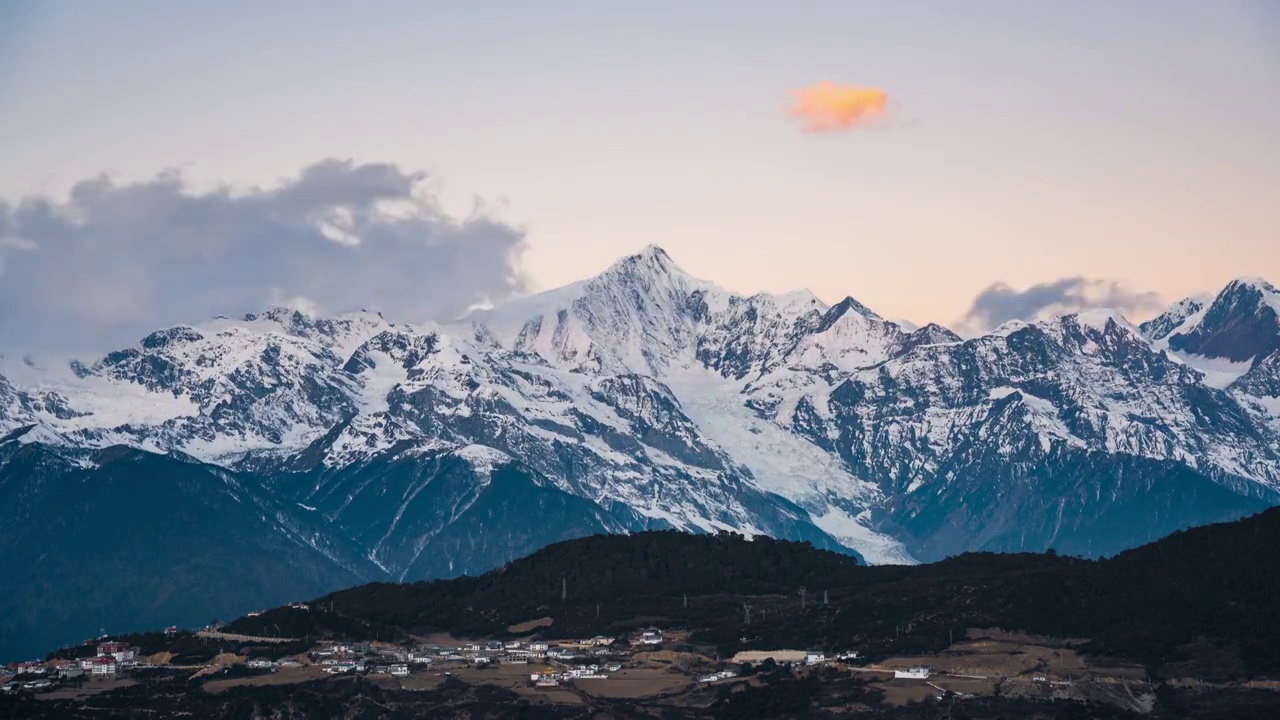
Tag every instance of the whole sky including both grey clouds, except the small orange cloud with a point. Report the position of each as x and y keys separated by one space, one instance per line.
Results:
x=1031 y=153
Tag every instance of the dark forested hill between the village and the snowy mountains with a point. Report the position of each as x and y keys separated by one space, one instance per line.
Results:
x=1201 y=600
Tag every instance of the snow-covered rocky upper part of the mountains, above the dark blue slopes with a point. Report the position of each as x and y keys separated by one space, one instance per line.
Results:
x=673 y=403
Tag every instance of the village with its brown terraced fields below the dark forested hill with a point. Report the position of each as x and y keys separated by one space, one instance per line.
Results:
x=644 y=664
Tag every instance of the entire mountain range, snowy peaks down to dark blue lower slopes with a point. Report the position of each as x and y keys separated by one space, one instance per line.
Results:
x=249 y=462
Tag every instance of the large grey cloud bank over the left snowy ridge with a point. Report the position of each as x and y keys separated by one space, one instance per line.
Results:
x=117 y=261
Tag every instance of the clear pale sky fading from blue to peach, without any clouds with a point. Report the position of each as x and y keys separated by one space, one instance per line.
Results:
x=1027 y=142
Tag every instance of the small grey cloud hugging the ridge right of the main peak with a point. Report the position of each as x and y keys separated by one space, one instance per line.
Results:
x=1002 y=303
